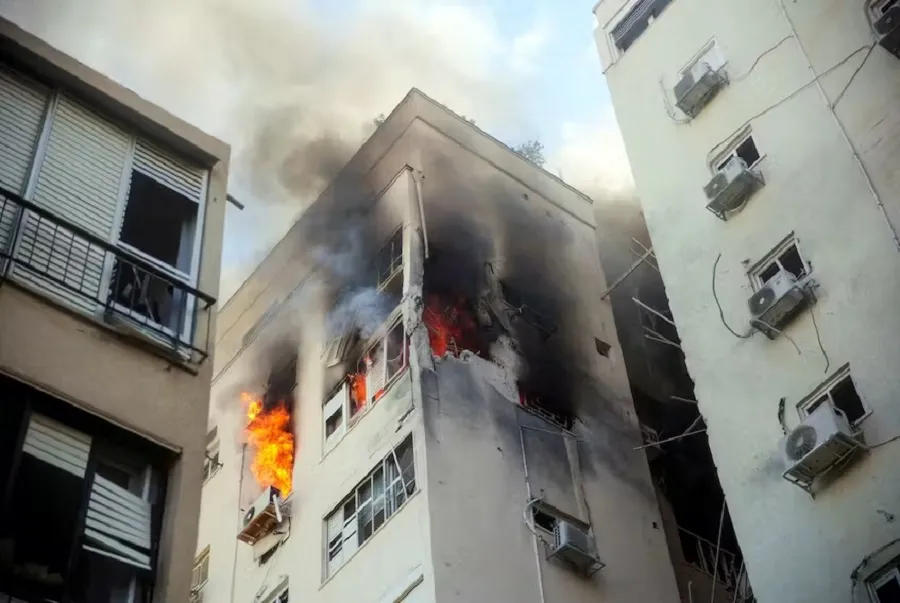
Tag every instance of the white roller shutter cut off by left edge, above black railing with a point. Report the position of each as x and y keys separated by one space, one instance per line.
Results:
x=22 y=107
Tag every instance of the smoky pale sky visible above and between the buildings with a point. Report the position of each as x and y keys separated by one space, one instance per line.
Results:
x=523 y=69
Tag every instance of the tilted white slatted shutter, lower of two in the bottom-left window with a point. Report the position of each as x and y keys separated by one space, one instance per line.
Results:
x=118 y=524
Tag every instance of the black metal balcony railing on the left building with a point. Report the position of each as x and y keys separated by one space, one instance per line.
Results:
x=56 y=256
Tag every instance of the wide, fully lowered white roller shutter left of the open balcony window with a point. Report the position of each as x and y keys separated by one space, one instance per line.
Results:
x=79 y=180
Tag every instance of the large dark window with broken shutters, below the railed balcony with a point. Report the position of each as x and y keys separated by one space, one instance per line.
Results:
x=47 y=511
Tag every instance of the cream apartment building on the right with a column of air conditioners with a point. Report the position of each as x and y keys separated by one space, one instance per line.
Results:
x=763 y=138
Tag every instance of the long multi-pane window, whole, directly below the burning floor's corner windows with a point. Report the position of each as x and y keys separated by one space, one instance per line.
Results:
x=378 y=496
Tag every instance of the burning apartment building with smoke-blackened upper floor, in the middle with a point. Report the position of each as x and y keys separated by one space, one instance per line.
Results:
x=419 y=395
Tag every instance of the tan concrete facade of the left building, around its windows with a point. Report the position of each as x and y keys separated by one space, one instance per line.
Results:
x=103 y=371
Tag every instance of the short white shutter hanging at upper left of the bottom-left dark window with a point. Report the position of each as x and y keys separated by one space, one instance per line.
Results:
x=57 y=444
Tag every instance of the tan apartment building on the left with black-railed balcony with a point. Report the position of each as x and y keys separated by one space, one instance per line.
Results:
x=111 y=221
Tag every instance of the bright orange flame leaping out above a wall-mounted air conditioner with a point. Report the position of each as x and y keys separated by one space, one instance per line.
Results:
x=269 y=433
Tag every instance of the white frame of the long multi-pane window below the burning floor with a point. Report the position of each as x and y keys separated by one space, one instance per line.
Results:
x=401 y=485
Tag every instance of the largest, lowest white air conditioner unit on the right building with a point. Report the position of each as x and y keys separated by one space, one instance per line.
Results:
x=820 y=442
